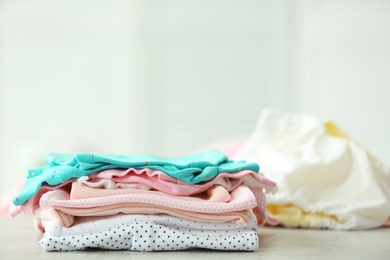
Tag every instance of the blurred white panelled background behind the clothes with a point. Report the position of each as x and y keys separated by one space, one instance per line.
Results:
x=169 y=76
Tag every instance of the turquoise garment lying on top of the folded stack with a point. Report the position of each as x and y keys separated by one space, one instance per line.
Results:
x=192 y=169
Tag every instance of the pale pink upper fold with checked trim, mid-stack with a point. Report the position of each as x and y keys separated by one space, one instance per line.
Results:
x=82 y=196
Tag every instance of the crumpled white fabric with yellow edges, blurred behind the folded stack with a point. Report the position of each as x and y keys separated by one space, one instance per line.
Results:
x=319 y=172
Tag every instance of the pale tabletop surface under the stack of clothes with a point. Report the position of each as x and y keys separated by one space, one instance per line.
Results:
x=19 y=240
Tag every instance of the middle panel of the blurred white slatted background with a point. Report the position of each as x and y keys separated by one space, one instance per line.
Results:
x=212 y=66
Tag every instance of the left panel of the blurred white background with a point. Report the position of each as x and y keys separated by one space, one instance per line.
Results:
x=65 y=82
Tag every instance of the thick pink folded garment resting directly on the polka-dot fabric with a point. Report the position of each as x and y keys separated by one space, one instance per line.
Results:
x=238 y=209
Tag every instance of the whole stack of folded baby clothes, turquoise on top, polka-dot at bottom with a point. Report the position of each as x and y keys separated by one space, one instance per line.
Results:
x=146 y=203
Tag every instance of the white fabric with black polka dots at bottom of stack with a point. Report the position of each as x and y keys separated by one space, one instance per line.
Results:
x=148 y=236
